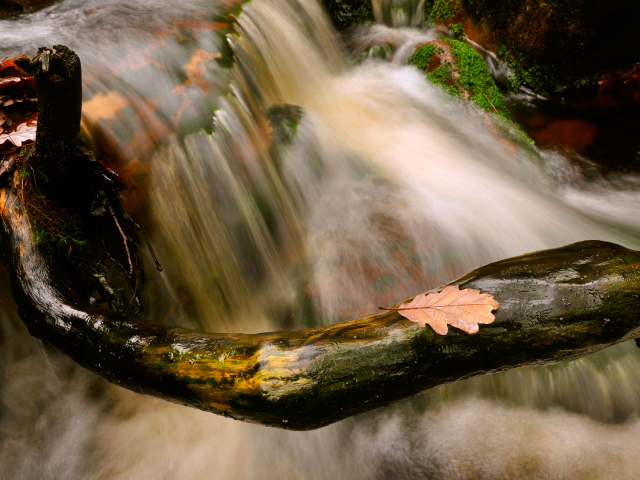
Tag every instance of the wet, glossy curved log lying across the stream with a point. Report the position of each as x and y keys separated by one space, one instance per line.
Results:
x=555 y=305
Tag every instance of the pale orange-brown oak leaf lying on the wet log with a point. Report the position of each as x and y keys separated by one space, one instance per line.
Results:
x=463 y=309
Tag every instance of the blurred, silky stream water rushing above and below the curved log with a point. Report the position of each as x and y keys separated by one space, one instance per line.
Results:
x=388 y=189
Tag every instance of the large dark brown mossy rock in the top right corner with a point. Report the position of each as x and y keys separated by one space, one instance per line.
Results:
x=550 y=45
